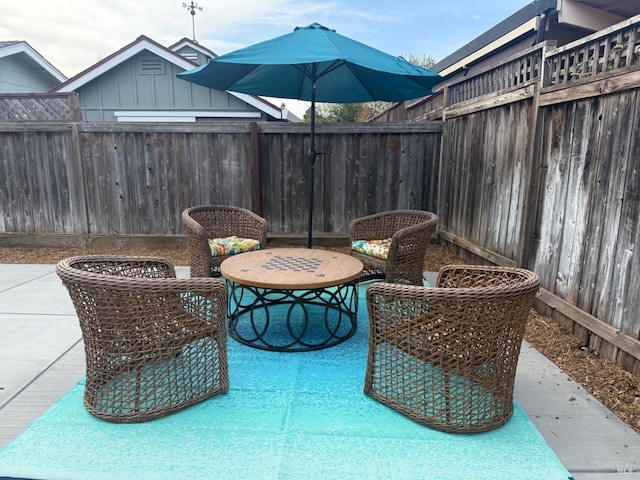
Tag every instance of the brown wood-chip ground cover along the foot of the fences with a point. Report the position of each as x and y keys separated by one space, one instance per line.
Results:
x=614 y=387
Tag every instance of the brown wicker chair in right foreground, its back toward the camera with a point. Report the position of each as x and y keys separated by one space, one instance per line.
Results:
x=446 y=357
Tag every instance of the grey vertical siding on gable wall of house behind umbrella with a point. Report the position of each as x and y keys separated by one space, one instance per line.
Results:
x=147 y=82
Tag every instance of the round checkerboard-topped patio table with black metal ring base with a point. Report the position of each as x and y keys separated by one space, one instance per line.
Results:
x=292 y=299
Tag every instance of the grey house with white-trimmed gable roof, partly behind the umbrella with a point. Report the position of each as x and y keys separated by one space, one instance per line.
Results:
x=138 y=83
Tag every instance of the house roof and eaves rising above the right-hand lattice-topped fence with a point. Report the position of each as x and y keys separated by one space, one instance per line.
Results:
x=562 y=21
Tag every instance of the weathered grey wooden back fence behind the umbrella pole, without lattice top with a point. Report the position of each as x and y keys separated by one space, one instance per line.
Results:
x=92 y=179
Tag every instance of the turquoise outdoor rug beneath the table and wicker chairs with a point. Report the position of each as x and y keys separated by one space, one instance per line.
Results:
x=286 y=416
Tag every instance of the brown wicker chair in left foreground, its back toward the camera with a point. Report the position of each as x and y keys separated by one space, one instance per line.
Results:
x=153 y=343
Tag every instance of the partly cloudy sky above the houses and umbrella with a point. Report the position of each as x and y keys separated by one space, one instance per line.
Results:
x=73 y=35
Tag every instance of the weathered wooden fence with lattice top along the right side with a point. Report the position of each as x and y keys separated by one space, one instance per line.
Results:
x=540 y=168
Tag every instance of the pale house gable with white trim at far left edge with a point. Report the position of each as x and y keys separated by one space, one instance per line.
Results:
x=23 y=70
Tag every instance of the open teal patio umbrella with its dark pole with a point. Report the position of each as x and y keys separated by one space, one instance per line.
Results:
x=316 y=64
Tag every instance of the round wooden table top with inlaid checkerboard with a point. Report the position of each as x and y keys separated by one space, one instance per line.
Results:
x=291 y=268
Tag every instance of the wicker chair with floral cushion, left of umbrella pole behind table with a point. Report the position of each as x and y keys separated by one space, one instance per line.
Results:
x=204 y=223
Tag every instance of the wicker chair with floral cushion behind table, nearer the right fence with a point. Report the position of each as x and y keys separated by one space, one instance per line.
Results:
x=410 y=232
